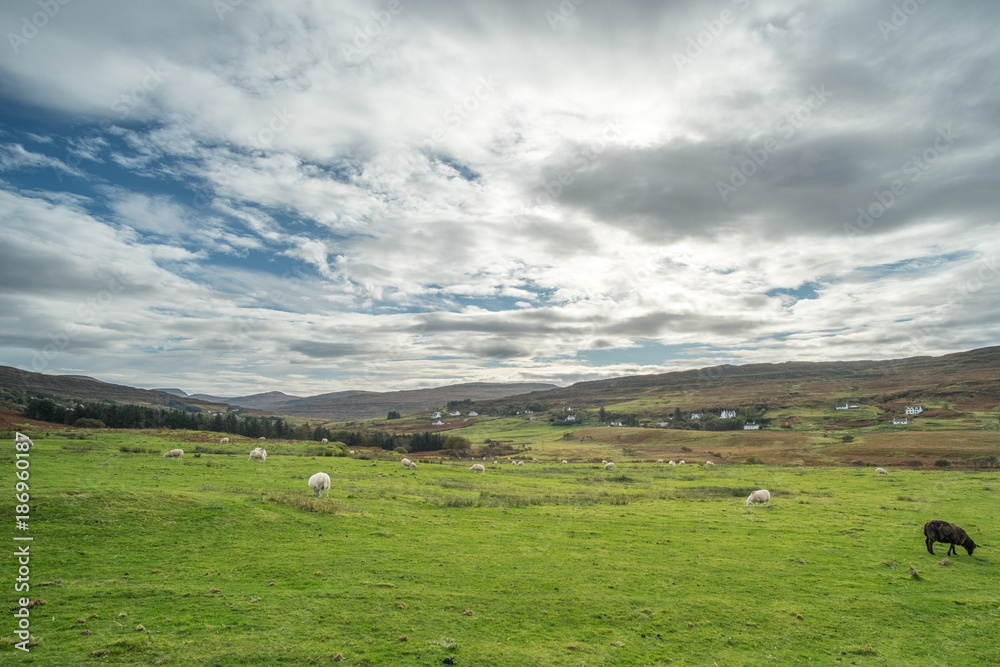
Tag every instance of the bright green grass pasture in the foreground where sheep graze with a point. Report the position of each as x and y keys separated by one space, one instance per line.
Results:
x=228 y=562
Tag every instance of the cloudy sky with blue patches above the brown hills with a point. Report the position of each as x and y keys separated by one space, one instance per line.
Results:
x=233 y=196
